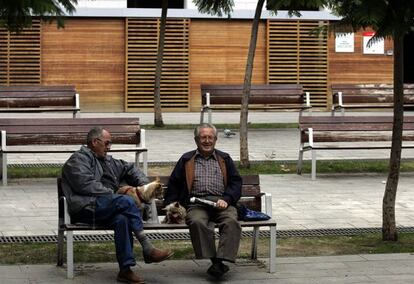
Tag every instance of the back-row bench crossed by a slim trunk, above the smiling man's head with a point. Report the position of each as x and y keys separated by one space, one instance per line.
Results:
x=262 y=97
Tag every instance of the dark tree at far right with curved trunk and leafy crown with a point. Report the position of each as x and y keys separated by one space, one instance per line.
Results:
x=389 y=19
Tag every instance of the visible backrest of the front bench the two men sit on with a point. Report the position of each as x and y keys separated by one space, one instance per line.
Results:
x=251 y=195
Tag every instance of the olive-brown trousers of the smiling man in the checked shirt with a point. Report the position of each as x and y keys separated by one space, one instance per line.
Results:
x=201 y=220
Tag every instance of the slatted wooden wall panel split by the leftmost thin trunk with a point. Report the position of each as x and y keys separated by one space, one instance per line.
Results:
x=142 y=43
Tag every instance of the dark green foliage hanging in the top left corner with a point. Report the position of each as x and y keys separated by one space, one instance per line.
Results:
x=16 y=15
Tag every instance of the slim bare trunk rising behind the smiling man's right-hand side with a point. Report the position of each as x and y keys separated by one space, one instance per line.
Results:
x=244 y=149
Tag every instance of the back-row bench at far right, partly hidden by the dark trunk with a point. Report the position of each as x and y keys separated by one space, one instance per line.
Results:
x=368 y=96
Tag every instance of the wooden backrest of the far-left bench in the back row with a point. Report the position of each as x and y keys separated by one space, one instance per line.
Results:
x=37 y=96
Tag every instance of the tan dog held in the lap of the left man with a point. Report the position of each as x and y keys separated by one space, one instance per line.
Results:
x=145 y=193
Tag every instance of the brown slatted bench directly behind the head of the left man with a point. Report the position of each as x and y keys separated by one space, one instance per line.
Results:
x=65 y=135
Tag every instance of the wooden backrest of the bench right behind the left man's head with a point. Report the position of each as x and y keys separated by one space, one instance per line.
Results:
x=68 y=131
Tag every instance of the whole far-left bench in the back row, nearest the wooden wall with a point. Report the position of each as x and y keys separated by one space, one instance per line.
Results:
x=32 y=99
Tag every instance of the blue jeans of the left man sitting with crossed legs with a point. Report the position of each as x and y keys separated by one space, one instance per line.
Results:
x=120 y=213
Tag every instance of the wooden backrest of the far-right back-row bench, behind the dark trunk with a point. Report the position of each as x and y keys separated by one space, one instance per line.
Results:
x=370 y=93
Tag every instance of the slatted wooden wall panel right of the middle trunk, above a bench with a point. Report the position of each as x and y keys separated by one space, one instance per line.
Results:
x=294 y=55
